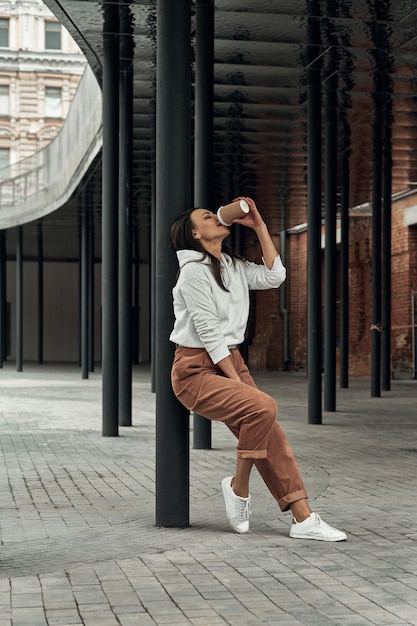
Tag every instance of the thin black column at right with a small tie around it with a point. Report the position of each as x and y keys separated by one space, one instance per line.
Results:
x=376 y=251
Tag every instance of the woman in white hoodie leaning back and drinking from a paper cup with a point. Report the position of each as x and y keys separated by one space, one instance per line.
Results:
x=209 y=376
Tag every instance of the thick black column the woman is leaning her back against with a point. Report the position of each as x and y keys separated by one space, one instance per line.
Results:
x=173 y=195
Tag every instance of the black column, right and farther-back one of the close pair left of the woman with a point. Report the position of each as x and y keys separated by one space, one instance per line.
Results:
x=125 y=186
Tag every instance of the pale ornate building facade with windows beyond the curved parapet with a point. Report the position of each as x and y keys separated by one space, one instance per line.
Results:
x=40 y=68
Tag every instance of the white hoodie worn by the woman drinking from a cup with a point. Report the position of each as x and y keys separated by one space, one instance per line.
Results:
x=208 y=317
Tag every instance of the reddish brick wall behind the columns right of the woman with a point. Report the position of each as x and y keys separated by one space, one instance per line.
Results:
x=265 y=336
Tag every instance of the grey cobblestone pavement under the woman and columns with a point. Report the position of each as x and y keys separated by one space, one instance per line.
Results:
x=78 y=538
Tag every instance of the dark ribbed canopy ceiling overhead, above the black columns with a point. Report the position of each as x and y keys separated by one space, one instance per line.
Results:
x=262 y=52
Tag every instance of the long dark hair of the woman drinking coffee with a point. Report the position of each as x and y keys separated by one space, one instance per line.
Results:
x=182 y=239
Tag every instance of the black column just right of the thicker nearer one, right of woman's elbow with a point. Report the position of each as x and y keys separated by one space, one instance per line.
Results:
x=330 y=235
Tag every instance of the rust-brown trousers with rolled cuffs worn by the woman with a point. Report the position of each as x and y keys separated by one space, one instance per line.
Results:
x=249 y=413
